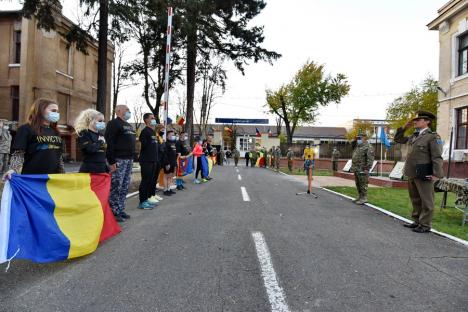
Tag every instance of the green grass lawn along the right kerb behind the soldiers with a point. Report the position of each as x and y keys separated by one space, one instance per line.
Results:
x=447 y=220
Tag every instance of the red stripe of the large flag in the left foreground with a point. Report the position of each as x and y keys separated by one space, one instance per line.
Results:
x=100 y=184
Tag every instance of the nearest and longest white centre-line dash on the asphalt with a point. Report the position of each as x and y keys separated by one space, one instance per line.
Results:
x=275 y=293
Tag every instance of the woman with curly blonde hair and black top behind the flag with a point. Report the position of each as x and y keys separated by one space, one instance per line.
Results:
x=91 y=142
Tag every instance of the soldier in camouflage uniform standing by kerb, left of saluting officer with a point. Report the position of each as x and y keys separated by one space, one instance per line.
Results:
x=363 y=157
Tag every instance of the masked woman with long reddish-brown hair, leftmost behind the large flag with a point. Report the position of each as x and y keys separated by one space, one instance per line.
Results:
x=38 y=147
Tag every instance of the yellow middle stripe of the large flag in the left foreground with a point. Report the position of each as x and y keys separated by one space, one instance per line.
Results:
x=78 y=211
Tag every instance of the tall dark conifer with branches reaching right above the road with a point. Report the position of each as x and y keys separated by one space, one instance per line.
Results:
x=221 y=26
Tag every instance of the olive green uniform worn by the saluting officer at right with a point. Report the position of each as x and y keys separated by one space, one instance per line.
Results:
x=423 y=149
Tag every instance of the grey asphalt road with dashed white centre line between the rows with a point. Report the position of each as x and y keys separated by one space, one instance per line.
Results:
x=196 y=252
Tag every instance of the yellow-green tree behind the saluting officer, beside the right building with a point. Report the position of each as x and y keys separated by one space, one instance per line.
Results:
x=422 y=97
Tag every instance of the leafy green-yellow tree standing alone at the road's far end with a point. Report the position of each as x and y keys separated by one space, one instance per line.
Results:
x=298 y=101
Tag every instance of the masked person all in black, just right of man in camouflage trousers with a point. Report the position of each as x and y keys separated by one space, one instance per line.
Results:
x=149 y=163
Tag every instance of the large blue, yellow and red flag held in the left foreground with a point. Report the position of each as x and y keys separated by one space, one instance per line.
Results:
x=47 y=218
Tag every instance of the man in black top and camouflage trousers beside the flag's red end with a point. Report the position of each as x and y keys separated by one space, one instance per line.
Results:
x=120 y=139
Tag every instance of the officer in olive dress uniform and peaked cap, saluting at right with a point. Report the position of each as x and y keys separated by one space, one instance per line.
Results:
x=423 y=167
